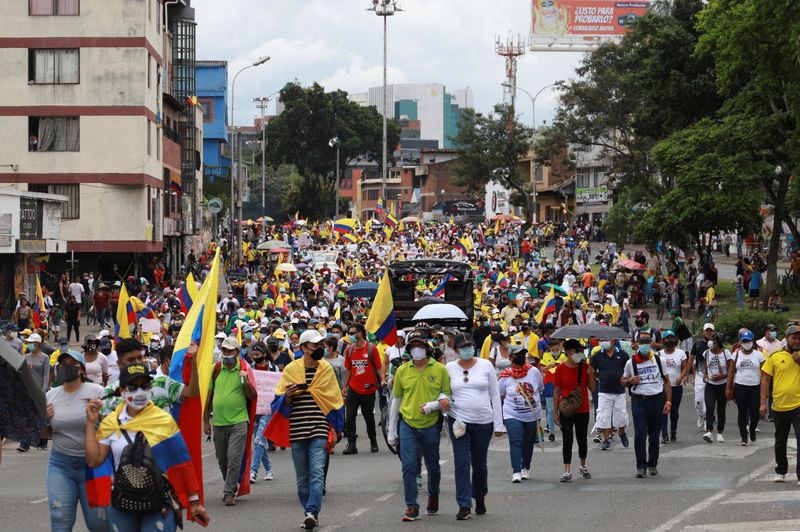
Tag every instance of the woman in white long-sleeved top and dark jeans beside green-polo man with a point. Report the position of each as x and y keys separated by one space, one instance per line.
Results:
x=472 y=381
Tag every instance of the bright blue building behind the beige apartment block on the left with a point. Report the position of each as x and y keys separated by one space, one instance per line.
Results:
x=212 y=94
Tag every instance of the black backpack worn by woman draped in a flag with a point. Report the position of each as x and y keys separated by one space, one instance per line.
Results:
x=139 y=484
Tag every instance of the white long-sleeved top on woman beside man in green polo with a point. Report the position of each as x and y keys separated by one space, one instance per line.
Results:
x=469 y=400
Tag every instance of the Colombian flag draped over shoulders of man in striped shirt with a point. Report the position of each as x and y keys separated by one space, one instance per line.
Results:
x=325 y=390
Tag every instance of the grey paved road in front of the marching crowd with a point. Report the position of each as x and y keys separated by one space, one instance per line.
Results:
x=701 y=487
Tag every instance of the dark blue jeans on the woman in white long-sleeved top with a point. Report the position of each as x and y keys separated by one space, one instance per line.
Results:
x=471 y=449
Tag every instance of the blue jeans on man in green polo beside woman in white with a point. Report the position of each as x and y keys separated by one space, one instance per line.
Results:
x=412 y=441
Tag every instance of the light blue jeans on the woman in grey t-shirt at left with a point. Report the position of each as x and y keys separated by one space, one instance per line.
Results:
x=66 y=488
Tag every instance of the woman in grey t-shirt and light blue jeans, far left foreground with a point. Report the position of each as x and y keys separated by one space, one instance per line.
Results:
x=65 y=422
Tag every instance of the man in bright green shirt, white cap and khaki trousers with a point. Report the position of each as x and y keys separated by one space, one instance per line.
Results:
x=232 y=398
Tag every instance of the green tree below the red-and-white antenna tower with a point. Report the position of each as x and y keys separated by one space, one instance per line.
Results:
x=490 y=148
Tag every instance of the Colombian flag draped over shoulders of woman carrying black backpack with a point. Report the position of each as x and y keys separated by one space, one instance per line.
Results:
x=169 y=451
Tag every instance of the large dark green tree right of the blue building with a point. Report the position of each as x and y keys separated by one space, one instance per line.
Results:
x=300 y=136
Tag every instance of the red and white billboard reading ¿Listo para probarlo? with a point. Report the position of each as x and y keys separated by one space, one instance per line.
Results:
x=581 y=24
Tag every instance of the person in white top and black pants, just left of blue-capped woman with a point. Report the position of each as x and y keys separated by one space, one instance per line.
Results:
x=718 y=365
